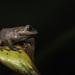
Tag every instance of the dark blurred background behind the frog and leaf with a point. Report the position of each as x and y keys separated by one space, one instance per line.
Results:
x=55 y=22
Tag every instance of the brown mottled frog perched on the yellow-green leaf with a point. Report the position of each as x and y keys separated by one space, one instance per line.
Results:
x=10 y=36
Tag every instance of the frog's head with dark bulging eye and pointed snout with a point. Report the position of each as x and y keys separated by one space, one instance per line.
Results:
x=27 y=31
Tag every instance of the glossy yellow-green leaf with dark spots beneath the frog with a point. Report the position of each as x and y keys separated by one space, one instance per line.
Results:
x=18 y=62
